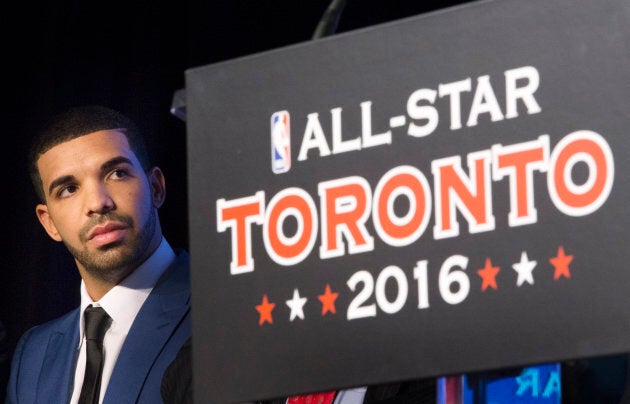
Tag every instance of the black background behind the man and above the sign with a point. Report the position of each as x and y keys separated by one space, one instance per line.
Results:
x=129 y=55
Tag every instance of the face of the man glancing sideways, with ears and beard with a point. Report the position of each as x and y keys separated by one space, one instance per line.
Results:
x=101 y=203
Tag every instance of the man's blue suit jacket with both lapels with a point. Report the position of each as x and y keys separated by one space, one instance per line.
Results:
x=44 y=360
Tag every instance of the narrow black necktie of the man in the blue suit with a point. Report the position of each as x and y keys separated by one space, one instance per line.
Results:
x=96 y=324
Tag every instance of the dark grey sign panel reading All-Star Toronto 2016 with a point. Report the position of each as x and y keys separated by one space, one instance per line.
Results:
x=437 y=195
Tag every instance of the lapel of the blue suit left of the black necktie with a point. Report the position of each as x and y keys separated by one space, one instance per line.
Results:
x=57 y=375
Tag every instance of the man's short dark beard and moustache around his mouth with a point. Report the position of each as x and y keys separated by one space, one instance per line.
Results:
x=113 y=262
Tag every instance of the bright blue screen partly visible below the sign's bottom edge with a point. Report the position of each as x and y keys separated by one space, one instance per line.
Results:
x=533 y=384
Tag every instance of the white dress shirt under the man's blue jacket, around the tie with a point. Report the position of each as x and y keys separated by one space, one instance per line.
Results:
x=122 y=303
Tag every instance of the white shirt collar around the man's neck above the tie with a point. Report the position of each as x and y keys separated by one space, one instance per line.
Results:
x=124 y=300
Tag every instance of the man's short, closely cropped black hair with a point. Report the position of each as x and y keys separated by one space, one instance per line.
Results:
x=77 y=122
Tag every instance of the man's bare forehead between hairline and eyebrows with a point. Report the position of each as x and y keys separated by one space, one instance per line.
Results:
x=83 y=154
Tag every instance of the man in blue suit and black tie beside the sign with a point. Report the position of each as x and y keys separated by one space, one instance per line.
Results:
x=100 y=197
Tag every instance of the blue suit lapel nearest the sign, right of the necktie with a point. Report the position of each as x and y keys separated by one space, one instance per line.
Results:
x=160 y=314
